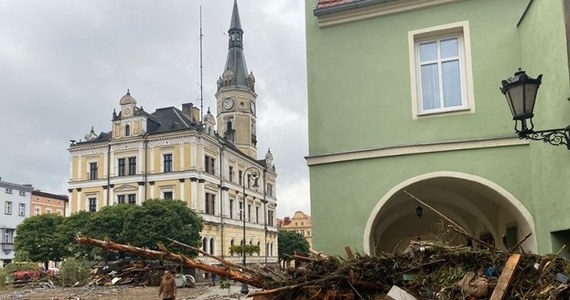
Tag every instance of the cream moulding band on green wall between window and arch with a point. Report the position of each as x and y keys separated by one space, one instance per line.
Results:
x=414 y=149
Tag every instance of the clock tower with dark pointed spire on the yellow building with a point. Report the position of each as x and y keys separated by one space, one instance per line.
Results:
x=236 y=97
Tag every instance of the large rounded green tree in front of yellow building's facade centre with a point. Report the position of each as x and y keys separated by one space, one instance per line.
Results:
x=155 y=221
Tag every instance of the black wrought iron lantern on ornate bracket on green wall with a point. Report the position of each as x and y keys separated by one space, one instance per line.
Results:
x=520 y=91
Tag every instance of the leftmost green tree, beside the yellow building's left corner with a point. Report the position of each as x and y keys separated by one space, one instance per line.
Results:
x=36 y=235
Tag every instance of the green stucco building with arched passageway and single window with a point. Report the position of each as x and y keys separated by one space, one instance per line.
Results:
x=404 y=96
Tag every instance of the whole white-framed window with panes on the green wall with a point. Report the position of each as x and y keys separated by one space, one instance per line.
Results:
x=440 y=69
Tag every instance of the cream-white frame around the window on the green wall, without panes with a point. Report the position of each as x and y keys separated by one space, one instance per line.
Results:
x=441 y=32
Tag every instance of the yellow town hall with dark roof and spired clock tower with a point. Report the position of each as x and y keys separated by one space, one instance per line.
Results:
x=172 y=153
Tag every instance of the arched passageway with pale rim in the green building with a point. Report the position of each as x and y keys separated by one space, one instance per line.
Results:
x=485 y=209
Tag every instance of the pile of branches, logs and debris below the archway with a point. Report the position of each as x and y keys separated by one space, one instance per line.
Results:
x=428 y=271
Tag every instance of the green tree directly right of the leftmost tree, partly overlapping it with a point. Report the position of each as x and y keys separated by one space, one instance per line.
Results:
x=66 y=232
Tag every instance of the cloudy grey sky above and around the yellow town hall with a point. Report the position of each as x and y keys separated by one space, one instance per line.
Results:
x=64 y=65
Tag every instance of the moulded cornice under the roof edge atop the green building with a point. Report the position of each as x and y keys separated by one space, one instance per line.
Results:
x=361 y=10
